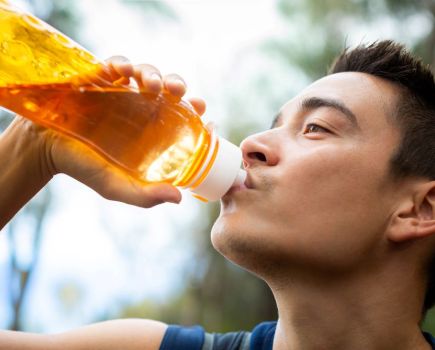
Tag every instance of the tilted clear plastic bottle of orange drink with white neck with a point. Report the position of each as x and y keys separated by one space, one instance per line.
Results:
x=50 y=79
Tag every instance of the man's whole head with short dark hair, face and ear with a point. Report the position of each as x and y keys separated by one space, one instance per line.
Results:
x=342 y=181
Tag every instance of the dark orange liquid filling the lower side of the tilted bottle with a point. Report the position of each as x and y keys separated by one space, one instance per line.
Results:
x=154 y=140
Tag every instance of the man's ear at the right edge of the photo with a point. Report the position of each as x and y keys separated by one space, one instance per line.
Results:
x=415 y=217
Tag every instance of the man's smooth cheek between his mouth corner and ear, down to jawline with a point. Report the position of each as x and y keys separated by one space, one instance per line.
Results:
x=330 y=205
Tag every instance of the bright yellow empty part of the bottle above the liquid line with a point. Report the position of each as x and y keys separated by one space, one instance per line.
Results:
x=32 y=52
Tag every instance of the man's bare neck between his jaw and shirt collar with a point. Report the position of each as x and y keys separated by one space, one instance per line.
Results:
x=365 y=311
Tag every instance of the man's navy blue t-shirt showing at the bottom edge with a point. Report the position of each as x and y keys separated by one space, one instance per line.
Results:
x=195 y=338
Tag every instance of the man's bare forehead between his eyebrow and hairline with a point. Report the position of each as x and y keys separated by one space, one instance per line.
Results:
x=370 y=98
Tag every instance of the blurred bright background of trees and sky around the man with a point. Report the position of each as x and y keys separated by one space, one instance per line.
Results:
x=70 y=258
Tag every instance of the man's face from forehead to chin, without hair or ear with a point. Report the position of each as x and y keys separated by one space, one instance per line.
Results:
x=319 y=190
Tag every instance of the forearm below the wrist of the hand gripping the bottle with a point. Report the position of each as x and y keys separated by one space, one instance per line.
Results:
x=23 y=167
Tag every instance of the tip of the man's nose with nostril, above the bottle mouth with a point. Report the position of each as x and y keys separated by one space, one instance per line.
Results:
x=258 y=150
